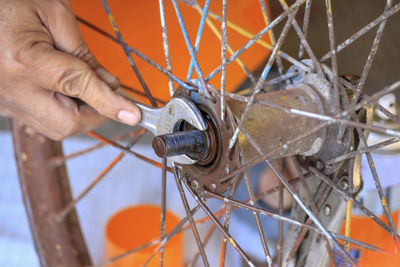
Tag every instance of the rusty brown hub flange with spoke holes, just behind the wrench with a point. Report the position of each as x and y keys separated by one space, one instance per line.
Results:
x=207 y=173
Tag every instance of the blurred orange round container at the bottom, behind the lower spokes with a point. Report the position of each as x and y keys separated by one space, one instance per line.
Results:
x=138 y=225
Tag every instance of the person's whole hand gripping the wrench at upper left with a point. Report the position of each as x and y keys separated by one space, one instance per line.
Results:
x=49 y=80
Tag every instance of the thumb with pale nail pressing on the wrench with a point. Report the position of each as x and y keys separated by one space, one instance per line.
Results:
x=71 y=76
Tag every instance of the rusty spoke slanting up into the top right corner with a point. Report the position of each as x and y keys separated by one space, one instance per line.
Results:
x=388 y=13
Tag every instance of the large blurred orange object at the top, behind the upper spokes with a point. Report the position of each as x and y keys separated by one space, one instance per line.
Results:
x=139 y=22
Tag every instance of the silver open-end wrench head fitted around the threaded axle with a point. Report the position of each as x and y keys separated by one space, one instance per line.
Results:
x=166 y=120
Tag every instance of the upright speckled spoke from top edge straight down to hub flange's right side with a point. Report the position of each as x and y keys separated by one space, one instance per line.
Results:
x=224 y=41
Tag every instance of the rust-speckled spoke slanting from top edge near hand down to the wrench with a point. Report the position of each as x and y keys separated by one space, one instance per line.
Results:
x=127 y=54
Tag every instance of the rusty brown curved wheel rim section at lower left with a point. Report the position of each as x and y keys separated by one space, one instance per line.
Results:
x=45 y=192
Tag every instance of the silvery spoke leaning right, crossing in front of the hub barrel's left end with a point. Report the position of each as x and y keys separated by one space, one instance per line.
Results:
x=263 y=77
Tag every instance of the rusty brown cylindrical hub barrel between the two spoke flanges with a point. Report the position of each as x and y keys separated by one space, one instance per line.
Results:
x=272 y=127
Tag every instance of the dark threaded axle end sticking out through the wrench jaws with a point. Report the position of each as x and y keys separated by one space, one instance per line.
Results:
x=192 y=143
